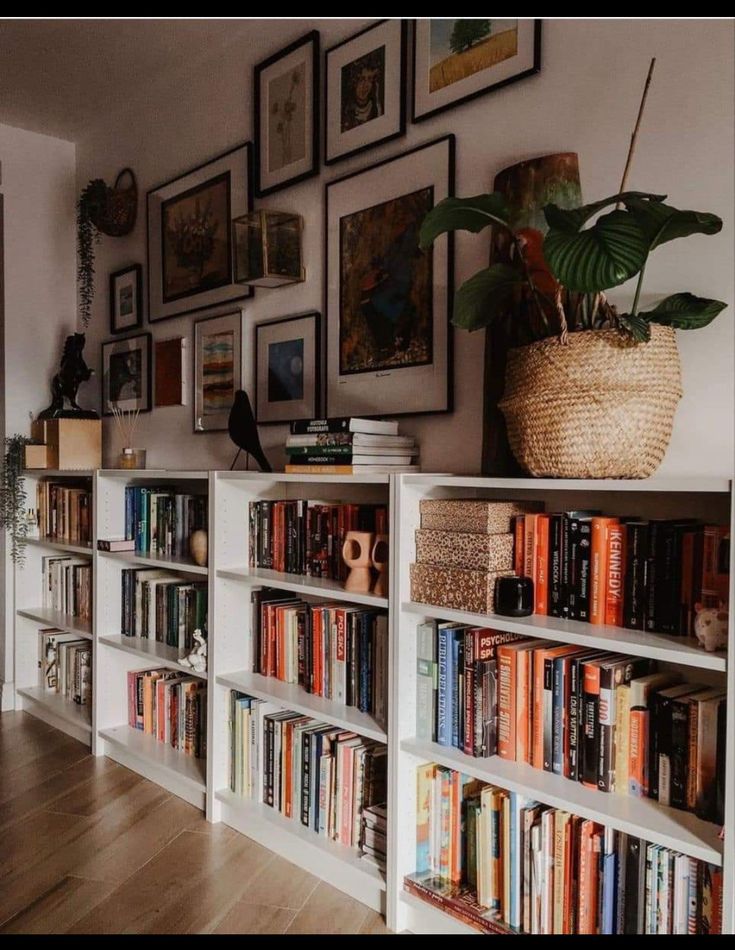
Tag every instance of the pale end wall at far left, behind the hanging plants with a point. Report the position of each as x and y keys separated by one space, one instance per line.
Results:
x=39 y=188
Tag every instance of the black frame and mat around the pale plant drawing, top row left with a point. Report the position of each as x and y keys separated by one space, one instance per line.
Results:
x=311 y=161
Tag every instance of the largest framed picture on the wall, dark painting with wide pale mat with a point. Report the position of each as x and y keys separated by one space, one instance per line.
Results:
x=388 y=302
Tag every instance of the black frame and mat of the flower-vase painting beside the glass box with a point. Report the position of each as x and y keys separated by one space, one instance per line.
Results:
x=237 y=163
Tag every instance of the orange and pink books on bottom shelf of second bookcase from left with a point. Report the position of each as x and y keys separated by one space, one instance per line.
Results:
x=170 y=706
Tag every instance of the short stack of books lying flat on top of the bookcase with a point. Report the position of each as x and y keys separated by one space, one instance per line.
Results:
x=349 y=446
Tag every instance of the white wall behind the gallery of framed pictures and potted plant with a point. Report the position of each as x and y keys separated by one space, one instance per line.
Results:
x=585 y=99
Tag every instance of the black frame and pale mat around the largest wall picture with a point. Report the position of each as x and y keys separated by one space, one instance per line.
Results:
x=442 y=282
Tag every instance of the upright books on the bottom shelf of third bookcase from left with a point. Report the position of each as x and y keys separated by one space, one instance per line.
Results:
x=310 y=771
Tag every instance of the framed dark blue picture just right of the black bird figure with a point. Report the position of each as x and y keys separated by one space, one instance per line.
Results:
x=287 y=369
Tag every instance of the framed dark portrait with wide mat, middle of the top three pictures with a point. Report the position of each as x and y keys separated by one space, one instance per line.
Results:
x=367 y=78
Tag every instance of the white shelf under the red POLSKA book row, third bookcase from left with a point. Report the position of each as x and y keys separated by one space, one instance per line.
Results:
x=293 y=697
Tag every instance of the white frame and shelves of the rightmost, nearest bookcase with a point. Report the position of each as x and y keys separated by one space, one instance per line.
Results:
x=709 y=499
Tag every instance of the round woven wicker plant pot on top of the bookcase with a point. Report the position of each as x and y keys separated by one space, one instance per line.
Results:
x=599 y=407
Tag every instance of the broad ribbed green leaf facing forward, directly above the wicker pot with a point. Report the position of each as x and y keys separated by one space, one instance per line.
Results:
x=603 y=256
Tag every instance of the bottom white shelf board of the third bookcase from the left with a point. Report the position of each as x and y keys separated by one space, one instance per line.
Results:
x=341 y=867
